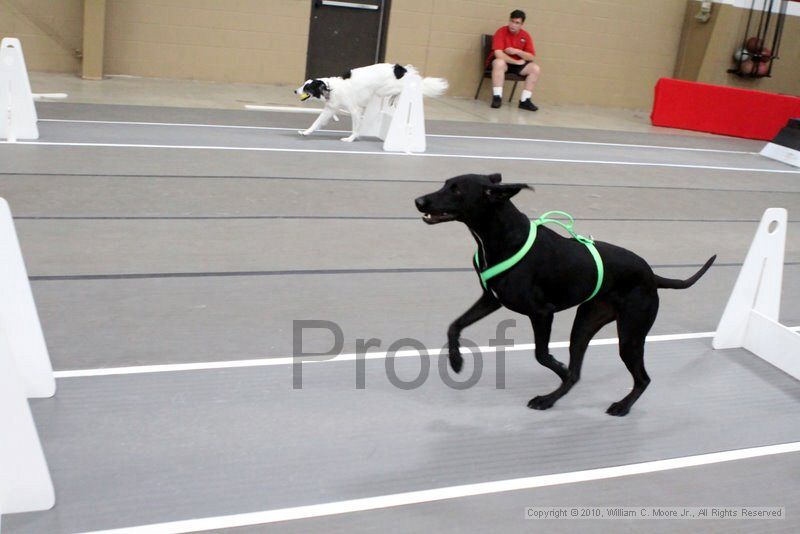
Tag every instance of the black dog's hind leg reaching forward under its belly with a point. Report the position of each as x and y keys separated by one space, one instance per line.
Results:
x=589 y=319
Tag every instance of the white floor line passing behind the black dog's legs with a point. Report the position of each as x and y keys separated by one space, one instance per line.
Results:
x=267 y=362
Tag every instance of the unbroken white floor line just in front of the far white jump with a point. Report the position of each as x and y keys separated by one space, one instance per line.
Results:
x=397 y=154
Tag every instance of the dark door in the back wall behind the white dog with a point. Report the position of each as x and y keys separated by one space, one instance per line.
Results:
x=345 y=34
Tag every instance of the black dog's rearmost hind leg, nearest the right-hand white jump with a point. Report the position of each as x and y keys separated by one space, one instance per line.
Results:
x=634 y=322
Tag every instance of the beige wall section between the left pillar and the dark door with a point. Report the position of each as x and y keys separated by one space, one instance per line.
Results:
x=258 y=41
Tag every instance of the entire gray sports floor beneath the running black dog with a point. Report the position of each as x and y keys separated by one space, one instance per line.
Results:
x=143 y=256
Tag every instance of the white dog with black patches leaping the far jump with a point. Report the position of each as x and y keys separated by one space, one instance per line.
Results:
x=352 y=92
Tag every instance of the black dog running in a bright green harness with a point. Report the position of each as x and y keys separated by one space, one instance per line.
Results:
x=556 y=274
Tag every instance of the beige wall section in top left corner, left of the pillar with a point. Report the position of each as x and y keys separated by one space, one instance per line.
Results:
x=49 y=30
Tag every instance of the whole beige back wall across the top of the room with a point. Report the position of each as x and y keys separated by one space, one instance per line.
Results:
x=598 y=52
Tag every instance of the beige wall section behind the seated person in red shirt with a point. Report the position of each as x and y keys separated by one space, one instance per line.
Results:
x=600 y=52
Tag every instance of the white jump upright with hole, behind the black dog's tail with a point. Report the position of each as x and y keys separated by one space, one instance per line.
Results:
x=750 y=319
